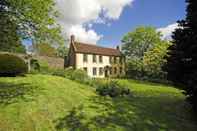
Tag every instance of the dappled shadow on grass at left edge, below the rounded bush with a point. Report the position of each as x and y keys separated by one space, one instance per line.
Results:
x=12 y=93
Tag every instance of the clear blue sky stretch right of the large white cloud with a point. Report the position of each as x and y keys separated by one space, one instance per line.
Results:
x=157 y=13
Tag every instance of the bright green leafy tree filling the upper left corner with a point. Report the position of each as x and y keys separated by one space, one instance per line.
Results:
x=33 y=19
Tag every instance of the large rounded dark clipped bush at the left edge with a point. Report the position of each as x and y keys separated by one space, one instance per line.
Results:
x=11 y=65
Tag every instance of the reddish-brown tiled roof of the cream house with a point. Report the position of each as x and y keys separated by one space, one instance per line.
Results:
x=93 y=49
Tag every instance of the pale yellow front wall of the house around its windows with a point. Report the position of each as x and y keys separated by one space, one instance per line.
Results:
x=80 y=65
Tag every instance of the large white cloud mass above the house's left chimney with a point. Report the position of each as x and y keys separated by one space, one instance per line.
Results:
x=78 y=16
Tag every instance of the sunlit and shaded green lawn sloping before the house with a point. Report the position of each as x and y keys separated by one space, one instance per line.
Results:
x=42 y=103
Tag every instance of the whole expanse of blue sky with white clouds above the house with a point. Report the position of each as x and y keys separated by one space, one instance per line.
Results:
x=109 y=20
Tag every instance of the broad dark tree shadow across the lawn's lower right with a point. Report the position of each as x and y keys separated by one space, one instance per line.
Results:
x=131 y=113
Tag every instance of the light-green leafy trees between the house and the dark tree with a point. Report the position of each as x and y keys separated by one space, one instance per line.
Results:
x=145 y=51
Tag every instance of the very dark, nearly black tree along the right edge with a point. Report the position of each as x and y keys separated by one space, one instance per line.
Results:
x=182 y=57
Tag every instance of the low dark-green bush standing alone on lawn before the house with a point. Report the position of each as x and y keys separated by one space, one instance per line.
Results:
x=112 y=89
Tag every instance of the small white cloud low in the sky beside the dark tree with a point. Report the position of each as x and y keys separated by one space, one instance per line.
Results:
x=167 y=31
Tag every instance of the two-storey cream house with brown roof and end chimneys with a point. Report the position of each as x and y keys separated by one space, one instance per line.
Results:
x=98 y=62
